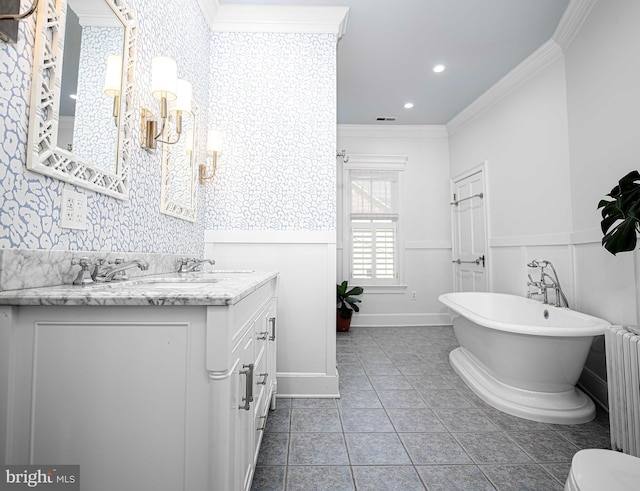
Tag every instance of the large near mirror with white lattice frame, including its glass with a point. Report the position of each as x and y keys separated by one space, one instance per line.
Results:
x=85 y=51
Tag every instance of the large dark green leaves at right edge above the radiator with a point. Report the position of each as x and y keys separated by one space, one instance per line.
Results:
x=621 y=215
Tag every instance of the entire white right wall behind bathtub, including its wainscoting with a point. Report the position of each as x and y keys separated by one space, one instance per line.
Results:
x=555 y=145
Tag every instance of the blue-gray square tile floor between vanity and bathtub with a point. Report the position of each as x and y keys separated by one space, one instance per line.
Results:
x=405 y=421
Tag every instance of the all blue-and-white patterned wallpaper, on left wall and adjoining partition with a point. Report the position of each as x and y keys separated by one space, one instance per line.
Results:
x=272 y=94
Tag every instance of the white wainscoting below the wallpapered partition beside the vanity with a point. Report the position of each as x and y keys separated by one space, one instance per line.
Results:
x=306 y=261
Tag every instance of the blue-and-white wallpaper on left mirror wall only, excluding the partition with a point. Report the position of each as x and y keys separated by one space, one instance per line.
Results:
x=30 y=203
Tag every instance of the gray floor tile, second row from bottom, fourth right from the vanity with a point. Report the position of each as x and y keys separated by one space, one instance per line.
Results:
x=434 y=448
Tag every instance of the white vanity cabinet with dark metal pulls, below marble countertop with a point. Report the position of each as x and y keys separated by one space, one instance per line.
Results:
x=141 y=397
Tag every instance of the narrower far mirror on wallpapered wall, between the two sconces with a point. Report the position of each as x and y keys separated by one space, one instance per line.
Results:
x=178 y=190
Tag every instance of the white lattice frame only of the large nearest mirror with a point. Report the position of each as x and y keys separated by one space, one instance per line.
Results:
x=43 y=154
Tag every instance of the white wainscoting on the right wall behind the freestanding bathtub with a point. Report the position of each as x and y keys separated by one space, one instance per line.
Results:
x=595 y=282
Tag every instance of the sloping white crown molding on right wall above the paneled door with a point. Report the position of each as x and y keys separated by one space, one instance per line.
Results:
x=531 y=66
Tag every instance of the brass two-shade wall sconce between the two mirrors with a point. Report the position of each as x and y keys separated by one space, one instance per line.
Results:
x=165 y=87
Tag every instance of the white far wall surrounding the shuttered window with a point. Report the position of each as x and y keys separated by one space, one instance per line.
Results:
x=425 y=226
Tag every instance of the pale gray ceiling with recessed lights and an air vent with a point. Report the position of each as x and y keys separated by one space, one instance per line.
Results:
x=386 y=57
